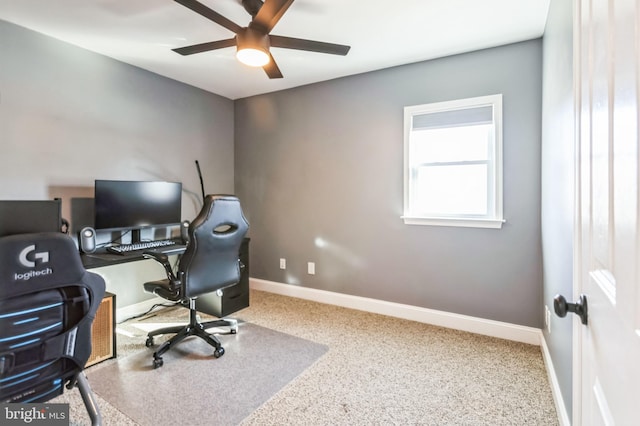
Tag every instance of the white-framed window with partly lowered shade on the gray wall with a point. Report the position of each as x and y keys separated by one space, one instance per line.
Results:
x=453 y=163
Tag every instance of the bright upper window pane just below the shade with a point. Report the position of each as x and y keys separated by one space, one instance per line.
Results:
x=454 y=144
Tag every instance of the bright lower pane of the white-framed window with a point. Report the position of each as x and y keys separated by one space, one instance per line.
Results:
x=450 y=190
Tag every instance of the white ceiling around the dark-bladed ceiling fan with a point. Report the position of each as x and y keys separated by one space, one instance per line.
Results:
x=381 y=34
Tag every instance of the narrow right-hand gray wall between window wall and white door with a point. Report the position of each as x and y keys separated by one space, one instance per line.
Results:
x=558 y=184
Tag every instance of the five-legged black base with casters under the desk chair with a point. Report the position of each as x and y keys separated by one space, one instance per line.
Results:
x=194 y=328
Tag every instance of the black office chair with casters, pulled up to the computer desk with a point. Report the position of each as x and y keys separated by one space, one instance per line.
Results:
x=209 y=264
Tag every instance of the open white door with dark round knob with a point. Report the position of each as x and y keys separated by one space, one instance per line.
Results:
x=607 y=352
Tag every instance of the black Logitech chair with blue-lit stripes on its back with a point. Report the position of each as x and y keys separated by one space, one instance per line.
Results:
x=47 y=305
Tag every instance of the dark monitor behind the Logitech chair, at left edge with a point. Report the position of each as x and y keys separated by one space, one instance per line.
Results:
x=27 y=216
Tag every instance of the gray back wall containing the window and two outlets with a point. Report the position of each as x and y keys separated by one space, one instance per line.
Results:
x=319 y=171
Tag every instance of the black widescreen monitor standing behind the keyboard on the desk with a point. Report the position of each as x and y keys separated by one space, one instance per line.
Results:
x=134 y=205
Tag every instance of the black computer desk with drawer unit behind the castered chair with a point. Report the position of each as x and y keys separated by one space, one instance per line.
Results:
x=232 y=300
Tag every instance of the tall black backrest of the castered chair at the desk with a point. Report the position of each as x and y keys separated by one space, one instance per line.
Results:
x=210 y=261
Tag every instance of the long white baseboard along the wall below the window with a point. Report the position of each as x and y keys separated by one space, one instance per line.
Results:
x=476 y=325
